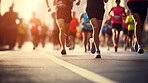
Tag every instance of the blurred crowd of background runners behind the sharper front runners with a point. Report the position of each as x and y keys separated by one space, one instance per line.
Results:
x=14 y=32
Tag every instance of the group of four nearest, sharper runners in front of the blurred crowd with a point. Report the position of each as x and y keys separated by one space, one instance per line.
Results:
x=95 y=12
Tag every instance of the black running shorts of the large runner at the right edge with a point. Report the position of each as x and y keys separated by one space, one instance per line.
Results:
x=139 y=7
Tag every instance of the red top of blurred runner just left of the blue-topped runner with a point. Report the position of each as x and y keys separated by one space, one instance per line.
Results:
x=73 y=25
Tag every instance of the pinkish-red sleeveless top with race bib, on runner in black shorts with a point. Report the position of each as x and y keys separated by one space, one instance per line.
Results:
x=116 y=18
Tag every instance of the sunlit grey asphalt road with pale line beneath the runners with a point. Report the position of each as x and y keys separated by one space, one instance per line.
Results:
x=45 y=65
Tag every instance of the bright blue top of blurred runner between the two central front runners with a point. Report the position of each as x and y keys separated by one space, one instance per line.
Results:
x=86 y=21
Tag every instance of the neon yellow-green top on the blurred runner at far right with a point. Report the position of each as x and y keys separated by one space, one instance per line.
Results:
x=130 y=21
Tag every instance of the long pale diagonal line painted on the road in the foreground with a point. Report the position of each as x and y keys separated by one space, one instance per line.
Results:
x=96 y=78
